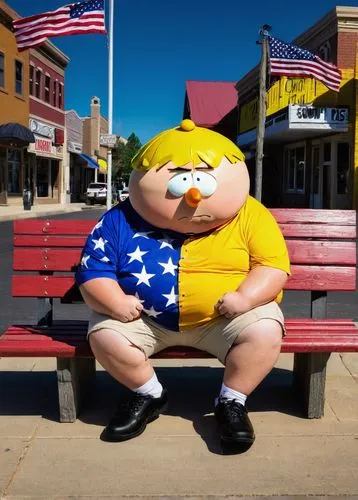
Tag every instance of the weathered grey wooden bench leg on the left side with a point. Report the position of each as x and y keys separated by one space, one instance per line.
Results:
x=74 y=377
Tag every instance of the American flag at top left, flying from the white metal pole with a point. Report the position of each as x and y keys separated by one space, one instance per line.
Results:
x=73 y=19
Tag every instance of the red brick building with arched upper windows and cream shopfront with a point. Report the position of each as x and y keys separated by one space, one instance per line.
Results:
x=46 y=157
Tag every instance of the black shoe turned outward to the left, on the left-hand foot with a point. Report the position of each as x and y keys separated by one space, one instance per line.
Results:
x=132 y=416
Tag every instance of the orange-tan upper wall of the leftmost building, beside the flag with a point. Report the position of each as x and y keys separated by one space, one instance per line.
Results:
x=13 y=108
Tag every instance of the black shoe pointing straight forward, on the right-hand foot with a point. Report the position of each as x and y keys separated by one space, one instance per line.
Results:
x=234 y=424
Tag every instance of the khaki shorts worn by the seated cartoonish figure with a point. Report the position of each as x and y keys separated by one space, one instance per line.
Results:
x=215 y=337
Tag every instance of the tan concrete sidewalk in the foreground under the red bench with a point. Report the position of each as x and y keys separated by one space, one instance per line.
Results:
x=179 y=455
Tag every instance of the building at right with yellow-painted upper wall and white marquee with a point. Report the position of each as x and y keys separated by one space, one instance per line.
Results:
x=311 y=133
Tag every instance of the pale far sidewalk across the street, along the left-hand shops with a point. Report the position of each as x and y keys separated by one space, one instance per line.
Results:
x=13 y=212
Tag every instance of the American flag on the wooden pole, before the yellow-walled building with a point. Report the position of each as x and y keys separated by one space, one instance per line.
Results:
x=290 y=60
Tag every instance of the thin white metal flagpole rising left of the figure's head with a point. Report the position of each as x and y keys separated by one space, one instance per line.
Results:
x=110 y=102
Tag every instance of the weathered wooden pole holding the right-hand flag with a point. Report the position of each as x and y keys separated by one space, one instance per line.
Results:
x=260 y=135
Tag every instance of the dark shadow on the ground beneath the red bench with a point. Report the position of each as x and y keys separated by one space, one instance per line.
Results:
x=192 y=391
